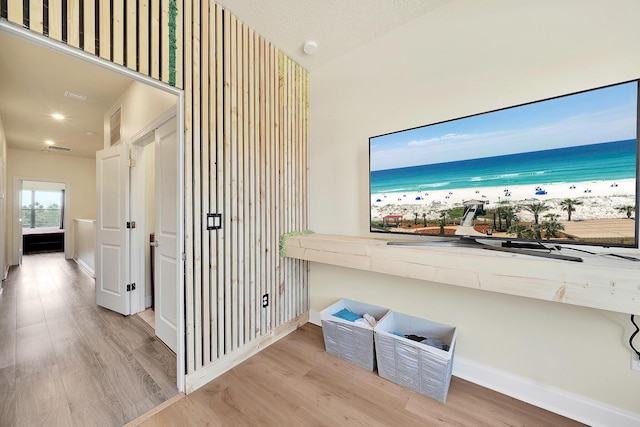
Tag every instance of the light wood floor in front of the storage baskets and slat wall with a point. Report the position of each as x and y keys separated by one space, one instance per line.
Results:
x=295 y=382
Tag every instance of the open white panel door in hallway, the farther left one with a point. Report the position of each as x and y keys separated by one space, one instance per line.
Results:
x=112 y=235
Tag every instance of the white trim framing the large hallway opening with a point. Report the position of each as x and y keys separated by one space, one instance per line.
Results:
x=62 y=48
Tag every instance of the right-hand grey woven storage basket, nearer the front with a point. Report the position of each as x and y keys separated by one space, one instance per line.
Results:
x=417 y=366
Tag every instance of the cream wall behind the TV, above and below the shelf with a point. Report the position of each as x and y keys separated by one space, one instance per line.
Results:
x=463 y=58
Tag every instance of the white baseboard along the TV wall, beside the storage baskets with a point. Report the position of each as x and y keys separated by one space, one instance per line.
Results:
x=576 y=407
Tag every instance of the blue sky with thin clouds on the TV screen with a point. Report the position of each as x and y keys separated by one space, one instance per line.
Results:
x=602 y=115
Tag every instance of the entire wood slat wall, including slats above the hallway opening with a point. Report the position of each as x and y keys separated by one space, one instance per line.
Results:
x=245 y=154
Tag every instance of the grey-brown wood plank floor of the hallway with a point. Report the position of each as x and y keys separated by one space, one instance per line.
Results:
x=65 y=361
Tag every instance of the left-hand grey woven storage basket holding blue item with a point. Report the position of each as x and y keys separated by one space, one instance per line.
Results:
x=350 y=341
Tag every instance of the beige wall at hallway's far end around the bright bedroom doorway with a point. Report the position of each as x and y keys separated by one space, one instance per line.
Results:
x=79 y=172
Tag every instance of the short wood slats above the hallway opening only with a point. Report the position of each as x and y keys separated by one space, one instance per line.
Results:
x=117 y=31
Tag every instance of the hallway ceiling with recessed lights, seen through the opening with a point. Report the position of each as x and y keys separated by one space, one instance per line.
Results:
x=34 y=80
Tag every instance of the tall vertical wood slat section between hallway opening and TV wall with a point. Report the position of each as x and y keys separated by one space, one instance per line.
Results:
x=247 y=117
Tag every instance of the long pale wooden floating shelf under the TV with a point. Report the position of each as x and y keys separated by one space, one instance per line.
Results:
x=601 y=282
